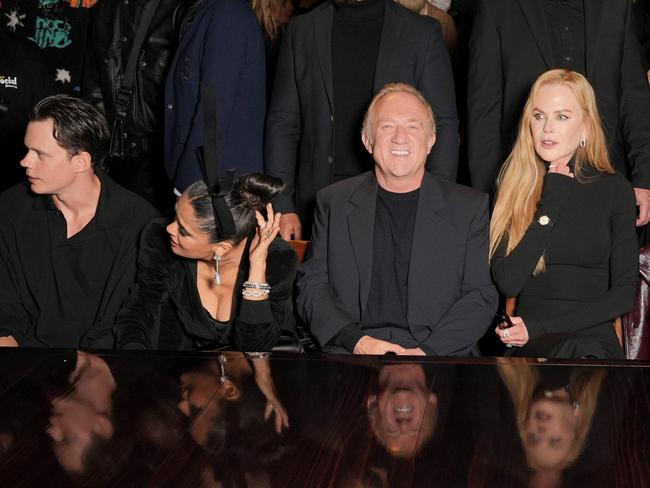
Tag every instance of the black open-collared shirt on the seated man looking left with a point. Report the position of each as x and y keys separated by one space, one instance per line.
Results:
x=65 y=292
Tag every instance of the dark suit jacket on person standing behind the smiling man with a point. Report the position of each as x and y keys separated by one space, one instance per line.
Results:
x=299 y=143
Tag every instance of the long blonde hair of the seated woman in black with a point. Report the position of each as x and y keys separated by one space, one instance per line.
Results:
x=521 y=178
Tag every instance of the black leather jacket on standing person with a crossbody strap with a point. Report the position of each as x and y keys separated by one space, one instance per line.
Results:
x=112 y=28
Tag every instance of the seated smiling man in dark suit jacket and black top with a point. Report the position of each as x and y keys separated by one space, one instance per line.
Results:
x=398 y=261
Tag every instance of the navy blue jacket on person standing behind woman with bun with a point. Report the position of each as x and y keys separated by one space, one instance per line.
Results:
x=222 y=46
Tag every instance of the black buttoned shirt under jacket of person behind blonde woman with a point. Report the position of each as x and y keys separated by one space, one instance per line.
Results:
x=565 y=21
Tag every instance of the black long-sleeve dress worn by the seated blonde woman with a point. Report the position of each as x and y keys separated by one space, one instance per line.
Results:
x=591 y=256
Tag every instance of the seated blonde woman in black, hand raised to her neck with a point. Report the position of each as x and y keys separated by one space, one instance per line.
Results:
x=562 y=232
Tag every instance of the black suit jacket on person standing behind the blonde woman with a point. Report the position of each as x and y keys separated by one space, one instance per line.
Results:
x=510 y=48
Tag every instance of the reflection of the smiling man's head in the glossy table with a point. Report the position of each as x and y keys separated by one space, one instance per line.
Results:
x=403 y=414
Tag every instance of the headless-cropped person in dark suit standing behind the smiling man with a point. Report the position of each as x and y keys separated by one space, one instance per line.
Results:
x=331 y=62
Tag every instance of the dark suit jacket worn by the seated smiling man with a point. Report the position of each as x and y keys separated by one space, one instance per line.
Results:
x=450 y=296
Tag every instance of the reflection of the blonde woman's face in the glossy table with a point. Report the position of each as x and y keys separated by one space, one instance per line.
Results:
x=550 y=431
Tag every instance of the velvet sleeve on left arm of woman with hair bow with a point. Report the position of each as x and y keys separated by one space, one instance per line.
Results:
x=140 y=314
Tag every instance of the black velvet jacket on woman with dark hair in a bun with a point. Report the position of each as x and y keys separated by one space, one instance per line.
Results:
x=164 y=310
